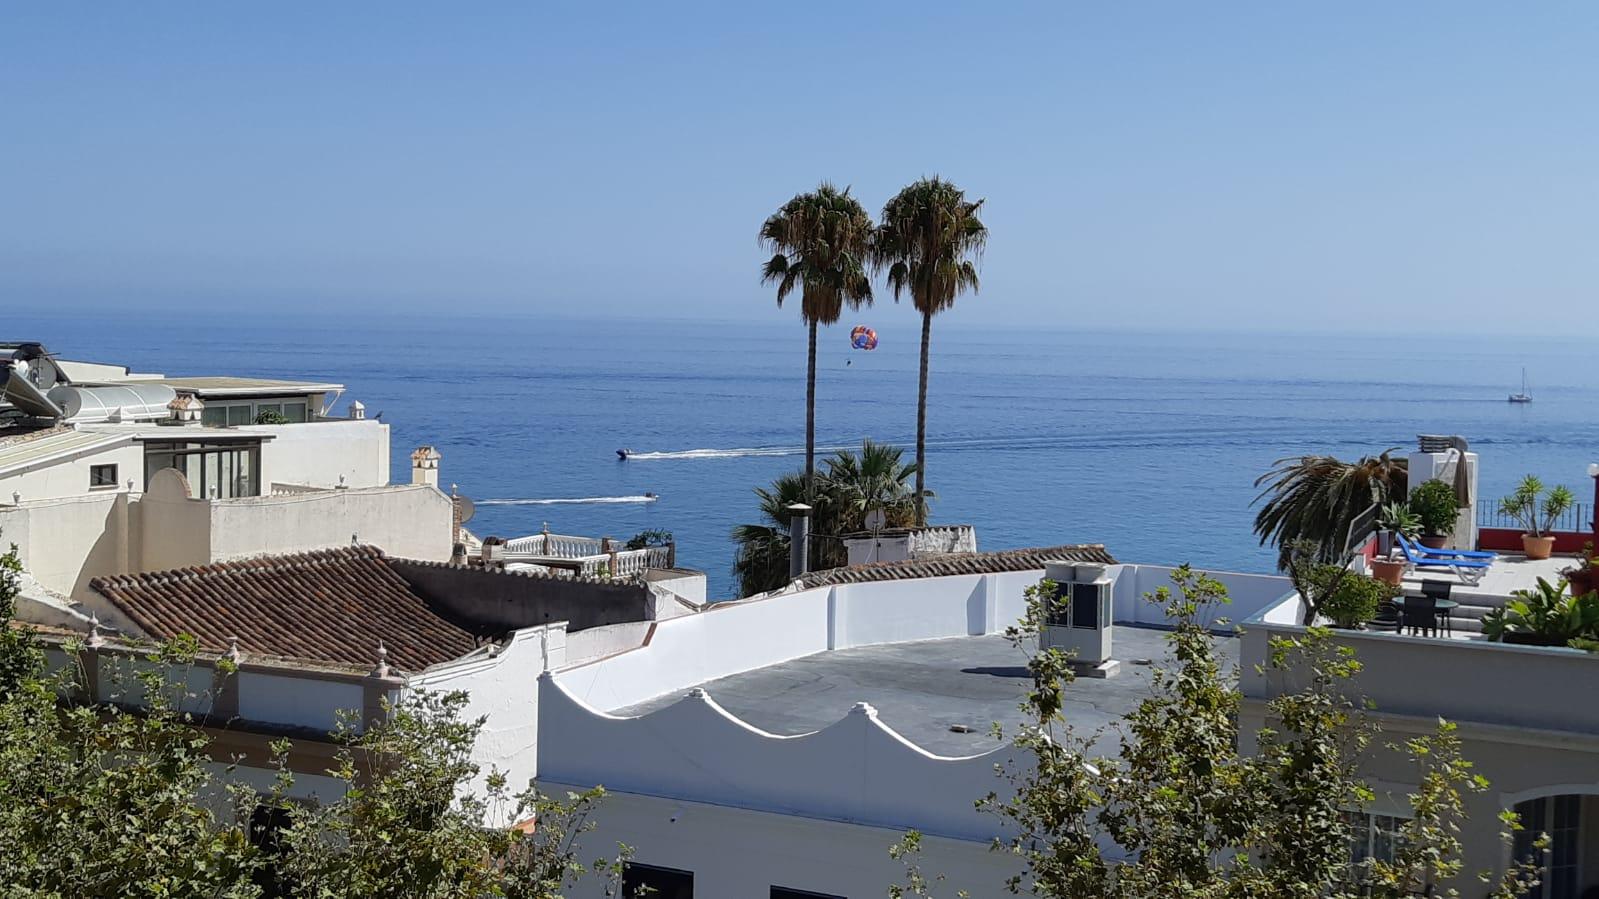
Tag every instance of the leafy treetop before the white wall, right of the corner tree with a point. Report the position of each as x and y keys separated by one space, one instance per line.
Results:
x=407 y=828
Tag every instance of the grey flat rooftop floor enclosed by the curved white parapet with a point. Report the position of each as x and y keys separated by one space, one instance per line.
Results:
x=925 y=689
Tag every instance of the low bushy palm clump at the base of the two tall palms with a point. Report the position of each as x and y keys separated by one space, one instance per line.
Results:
x=853 y=485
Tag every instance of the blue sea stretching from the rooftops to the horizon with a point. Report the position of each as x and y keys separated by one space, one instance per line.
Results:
x=1146 y=442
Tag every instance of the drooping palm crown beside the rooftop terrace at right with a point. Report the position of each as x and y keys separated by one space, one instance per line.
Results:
x=1317 y=500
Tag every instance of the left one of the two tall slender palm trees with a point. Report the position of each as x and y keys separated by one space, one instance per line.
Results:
x=821 y=242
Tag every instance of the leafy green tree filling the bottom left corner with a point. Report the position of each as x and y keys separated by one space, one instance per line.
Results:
x=97 y=801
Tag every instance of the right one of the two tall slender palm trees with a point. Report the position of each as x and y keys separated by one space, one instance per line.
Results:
x=928 y=239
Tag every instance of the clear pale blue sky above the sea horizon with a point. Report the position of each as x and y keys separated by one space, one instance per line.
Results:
x=1272 y=166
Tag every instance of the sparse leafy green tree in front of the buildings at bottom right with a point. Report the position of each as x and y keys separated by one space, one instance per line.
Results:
x=1194 y=815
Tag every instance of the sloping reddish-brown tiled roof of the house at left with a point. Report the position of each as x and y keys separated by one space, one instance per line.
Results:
x=330 y=605
